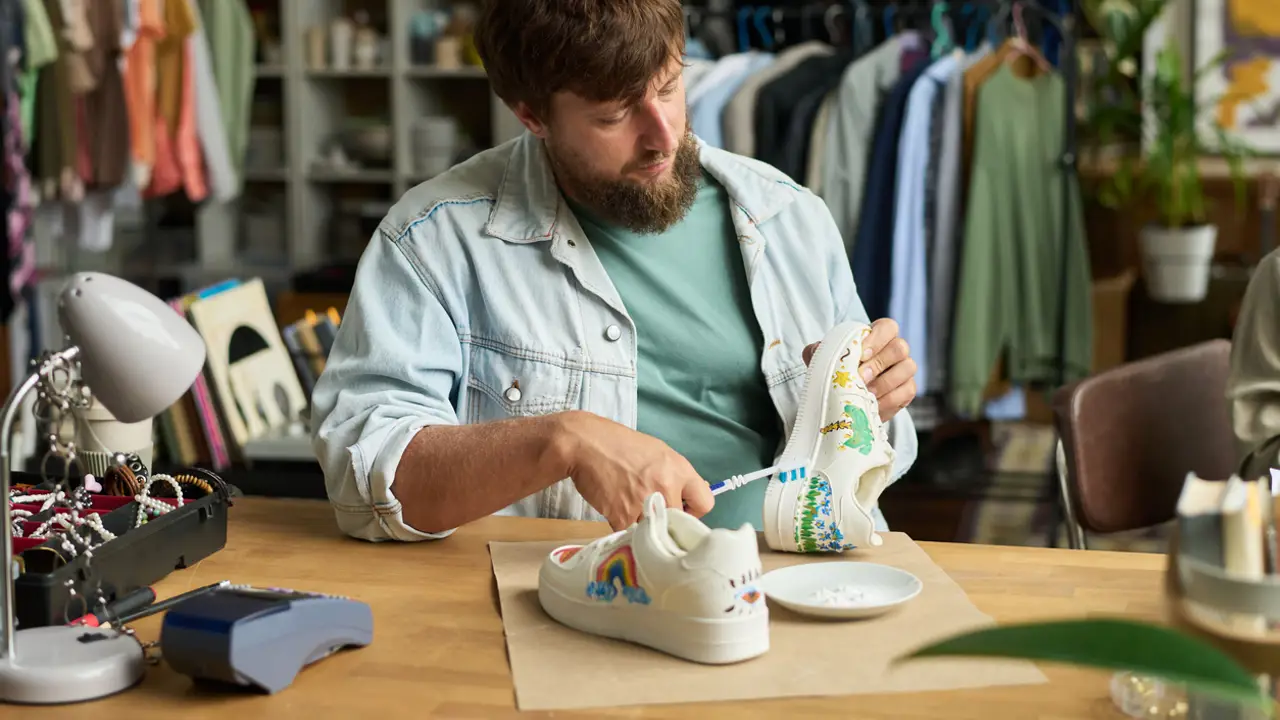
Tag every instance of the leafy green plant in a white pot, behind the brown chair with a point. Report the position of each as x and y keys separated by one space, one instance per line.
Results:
x=1176 y=135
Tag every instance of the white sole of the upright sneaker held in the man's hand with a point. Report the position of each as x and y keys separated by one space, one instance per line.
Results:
x=780 y=534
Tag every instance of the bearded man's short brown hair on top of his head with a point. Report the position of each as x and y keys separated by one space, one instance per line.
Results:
x=602 y=51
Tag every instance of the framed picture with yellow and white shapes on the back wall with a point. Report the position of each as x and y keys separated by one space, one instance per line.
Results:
x=1244 y=93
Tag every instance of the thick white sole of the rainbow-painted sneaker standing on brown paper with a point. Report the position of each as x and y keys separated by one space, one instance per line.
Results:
x=707 y=641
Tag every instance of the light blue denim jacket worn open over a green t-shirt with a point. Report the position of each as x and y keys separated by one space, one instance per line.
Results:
x=479 y=298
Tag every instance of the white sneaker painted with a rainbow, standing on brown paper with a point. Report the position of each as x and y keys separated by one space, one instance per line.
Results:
x=668 y=582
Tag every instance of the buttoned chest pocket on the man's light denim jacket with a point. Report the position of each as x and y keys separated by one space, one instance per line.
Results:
x=519 y=384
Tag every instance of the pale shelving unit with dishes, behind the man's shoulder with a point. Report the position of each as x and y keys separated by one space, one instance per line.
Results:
x=318 y=104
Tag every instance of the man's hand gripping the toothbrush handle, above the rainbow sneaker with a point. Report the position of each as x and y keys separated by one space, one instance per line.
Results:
x=616 y=470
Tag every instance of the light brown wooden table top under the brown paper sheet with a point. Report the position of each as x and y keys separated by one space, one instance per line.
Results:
x=440 y=651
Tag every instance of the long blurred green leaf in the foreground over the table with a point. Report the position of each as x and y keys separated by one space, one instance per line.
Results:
x=1116 y=645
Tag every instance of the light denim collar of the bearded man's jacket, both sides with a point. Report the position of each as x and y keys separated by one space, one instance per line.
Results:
x=529 y=199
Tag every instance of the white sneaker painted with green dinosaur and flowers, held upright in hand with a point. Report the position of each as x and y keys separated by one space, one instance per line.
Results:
x=839 y=457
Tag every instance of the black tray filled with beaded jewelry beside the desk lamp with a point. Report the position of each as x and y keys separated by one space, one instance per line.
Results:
x=136 y=558
